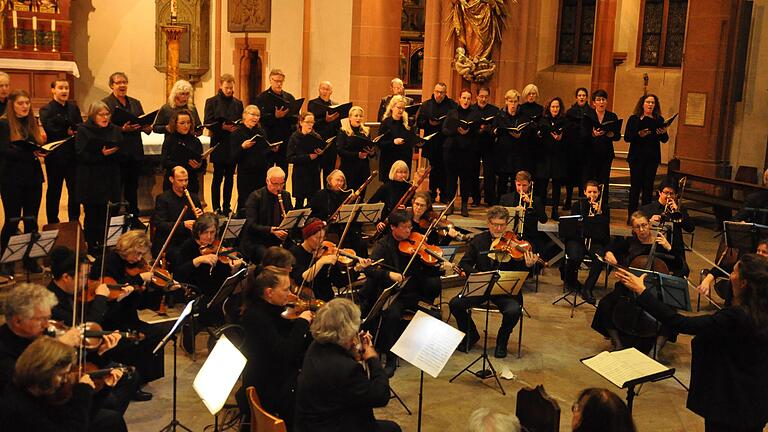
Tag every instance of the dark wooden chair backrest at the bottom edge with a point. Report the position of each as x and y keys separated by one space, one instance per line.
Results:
x=537 y=411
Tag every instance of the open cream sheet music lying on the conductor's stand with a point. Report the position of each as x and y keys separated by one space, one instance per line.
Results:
x=620 y=367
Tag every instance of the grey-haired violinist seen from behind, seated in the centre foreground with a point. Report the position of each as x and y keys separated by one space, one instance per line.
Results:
x=334 y=357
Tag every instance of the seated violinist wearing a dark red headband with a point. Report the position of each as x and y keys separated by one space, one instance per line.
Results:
x=316 y=267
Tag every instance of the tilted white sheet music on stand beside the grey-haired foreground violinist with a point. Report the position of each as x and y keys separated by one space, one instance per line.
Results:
x=427 y=343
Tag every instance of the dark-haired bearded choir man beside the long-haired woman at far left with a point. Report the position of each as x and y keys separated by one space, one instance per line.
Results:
x=60 y=118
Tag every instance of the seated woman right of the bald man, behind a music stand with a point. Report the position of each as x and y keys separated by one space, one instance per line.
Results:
x=327 y=201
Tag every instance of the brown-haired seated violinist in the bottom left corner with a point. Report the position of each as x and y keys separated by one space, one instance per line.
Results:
x=37 y=401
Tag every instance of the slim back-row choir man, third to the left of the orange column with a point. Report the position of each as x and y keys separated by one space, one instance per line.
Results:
x=221 y=113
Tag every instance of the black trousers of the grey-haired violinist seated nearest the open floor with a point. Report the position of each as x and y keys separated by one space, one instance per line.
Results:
x=511 y=308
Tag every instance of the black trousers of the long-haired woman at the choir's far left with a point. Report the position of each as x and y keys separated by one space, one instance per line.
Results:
x=19 y=201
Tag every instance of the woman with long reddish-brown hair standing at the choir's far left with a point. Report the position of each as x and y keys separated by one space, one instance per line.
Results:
x=21 y=180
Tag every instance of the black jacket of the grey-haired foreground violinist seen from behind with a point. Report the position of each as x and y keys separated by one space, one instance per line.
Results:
x=335 y=394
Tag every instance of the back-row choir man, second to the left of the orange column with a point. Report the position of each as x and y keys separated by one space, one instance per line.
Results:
x=276 y=118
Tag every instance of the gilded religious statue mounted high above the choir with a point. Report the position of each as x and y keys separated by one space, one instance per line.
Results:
x=478 y=25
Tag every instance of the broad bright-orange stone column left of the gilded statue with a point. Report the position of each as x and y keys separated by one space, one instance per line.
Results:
x=375 y=51
